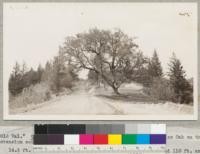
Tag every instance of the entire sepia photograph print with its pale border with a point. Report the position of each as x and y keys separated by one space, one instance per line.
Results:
x=100 y=61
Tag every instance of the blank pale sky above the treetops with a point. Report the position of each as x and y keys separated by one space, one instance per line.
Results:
x=33 y=31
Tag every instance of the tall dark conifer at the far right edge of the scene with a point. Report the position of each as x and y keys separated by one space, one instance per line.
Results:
x=180 y=85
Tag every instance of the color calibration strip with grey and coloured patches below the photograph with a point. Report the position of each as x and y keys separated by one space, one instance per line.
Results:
x=106 y=134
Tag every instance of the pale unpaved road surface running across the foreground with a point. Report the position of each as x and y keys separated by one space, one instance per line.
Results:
x=84 y=102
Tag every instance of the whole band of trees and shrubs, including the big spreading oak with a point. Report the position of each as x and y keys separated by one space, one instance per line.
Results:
x=111 y=58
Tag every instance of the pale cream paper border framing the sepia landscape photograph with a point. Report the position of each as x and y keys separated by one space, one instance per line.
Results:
x=194 y=116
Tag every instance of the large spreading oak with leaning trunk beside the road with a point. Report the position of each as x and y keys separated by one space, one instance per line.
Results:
x=109 y=54
